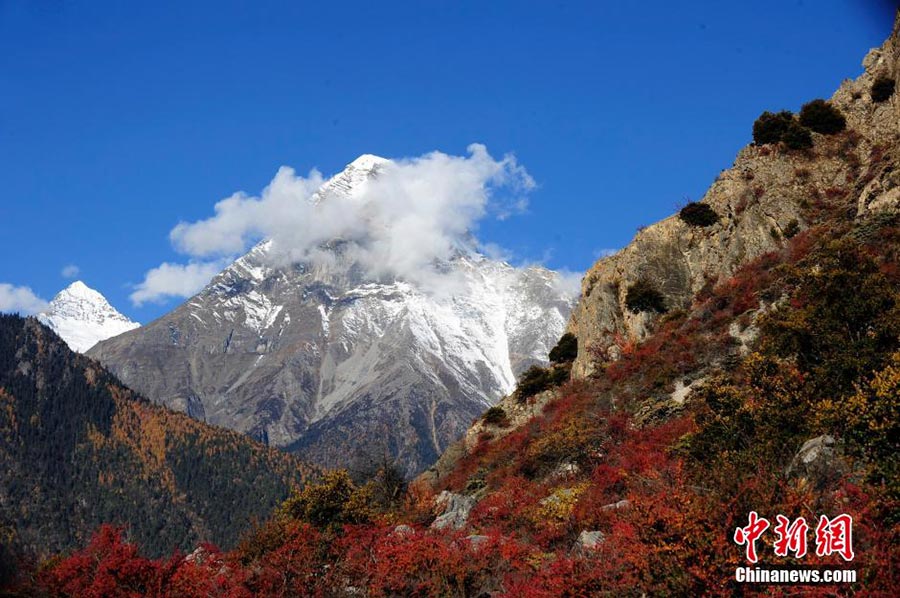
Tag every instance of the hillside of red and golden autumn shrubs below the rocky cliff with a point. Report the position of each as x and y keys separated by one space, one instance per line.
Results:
x=664 y=481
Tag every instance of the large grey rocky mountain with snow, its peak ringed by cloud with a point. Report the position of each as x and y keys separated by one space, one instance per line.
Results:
x=321 y=356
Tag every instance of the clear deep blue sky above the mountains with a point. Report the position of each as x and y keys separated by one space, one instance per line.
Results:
x=118 y=120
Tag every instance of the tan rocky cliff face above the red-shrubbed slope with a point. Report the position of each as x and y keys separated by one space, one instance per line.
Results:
x=758 y=201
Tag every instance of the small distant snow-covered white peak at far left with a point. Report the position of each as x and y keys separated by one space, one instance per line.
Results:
x=82 y=317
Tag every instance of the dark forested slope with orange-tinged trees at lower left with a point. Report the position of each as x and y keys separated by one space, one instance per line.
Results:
x=77 y=449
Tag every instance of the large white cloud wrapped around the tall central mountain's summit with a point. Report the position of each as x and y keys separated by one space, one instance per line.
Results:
x=414 y=212
